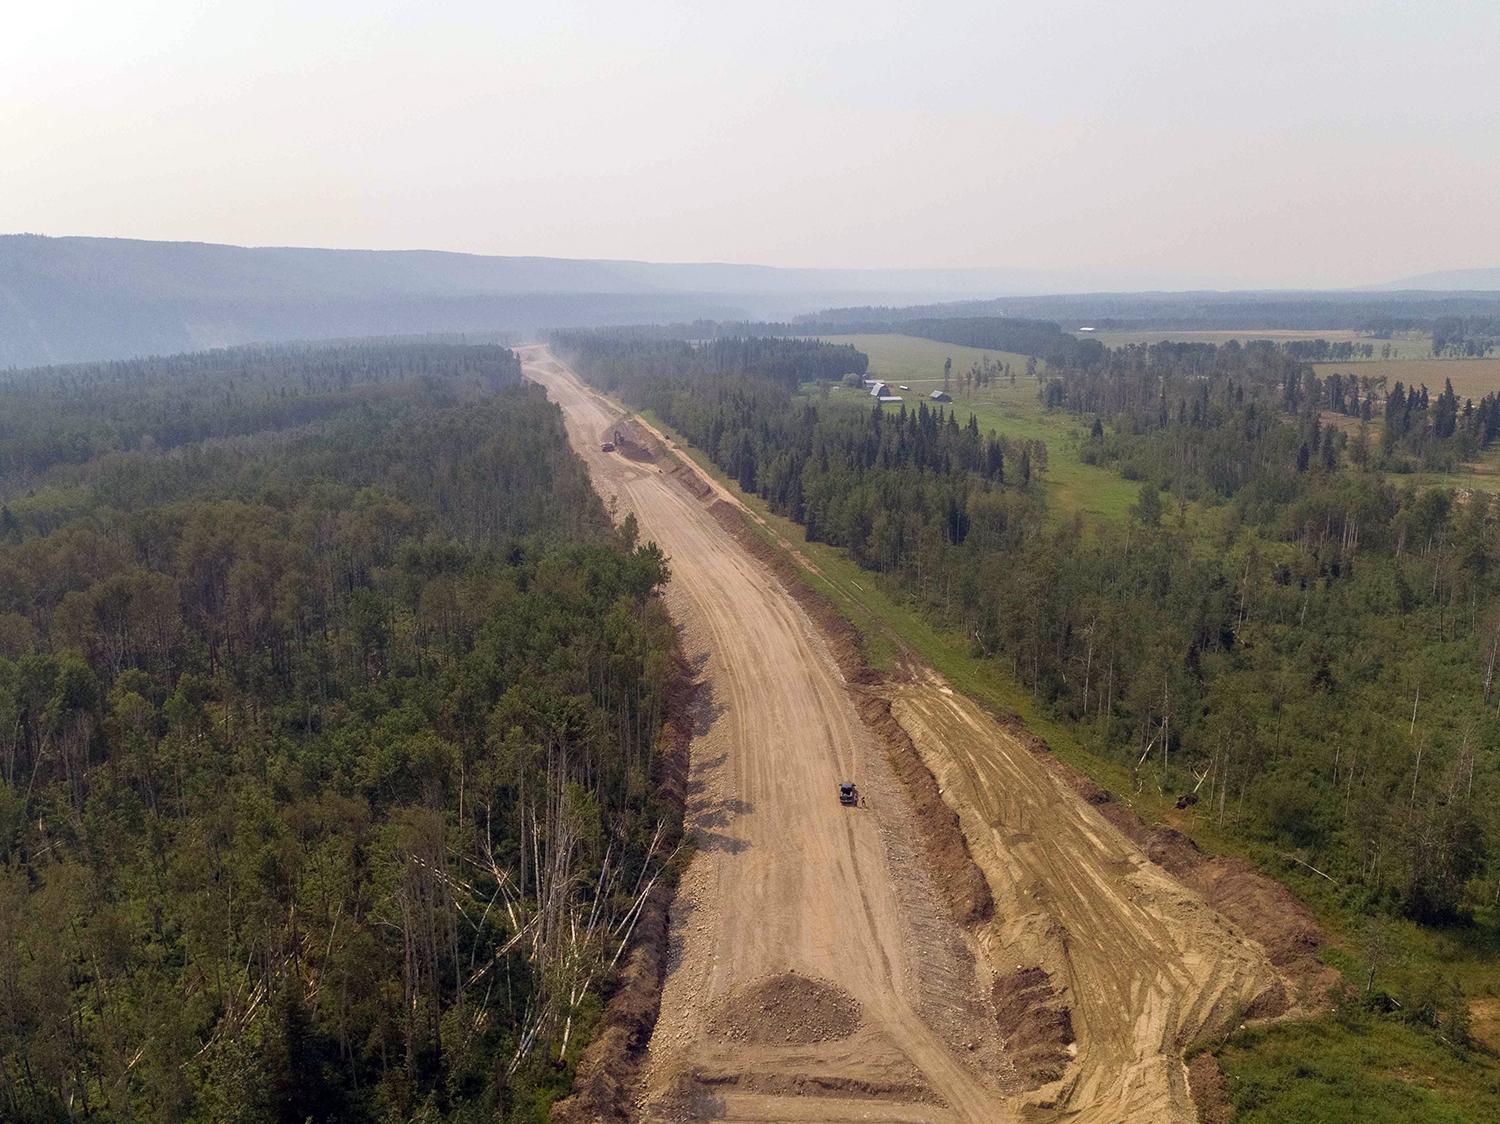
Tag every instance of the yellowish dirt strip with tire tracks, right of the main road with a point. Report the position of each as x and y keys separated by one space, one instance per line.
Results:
x=1144 y=966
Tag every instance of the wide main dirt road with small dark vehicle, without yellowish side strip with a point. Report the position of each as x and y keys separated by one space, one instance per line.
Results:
x=787 y=880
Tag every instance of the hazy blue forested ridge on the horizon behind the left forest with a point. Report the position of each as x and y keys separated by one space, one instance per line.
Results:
x=65 y=301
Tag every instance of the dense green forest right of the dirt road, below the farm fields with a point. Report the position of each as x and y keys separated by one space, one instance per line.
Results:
x=1318 y=675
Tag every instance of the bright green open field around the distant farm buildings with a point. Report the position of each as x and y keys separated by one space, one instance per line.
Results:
x=1012 y=410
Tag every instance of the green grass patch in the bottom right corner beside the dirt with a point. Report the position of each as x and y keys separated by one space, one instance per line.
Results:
x=1366 y=1071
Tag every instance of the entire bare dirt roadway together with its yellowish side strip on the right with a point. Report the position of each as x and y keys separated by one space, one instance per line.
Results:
x=814 y=972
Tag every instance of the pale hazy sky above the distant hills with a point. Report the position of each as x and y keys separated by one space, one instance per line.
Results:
x=1265 y=143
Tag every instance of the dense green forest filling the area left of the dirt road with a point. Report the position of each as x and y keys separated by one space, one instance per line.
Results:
x=329 y=700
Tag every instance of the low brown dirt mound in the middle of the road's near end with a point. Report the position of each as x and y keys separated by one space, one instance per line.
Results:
x=787 y=1009
